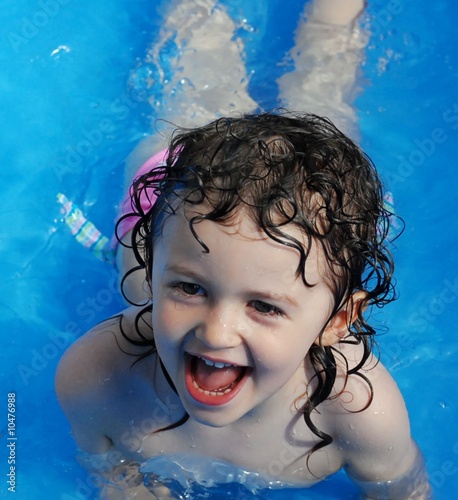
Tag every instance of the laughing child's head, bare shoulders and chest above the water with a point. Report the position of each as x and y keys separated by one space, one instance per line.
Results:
x=263 y=242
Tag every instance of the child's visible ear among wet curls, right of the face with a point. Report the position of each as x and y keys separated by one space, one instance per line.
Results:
x=339 y=325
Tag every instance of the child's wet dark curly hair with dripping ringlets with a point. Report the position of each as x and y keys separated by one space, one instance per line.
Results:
x=283 y=170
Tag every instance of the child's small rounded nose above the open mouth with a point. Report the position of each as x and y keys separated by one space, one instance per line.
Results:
x=221 y=329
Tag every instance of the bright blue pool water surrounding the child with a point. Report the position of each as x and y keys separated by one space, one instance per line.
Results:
x=69 y=119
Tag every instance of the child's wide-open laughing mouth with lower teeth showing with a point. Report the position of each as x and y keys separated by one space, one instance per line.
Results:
x=213 y=383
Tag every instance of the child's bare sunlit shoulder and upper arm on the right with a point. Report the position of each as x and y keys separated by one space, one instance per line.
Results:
x=370 y=422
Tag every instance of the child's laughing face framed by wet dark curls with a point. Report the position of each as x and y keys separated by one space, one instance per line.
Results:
x=233 y=326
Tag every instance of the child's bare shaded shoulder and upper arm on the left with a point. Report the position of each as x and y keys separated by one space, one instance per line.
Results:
x=92 y=374
